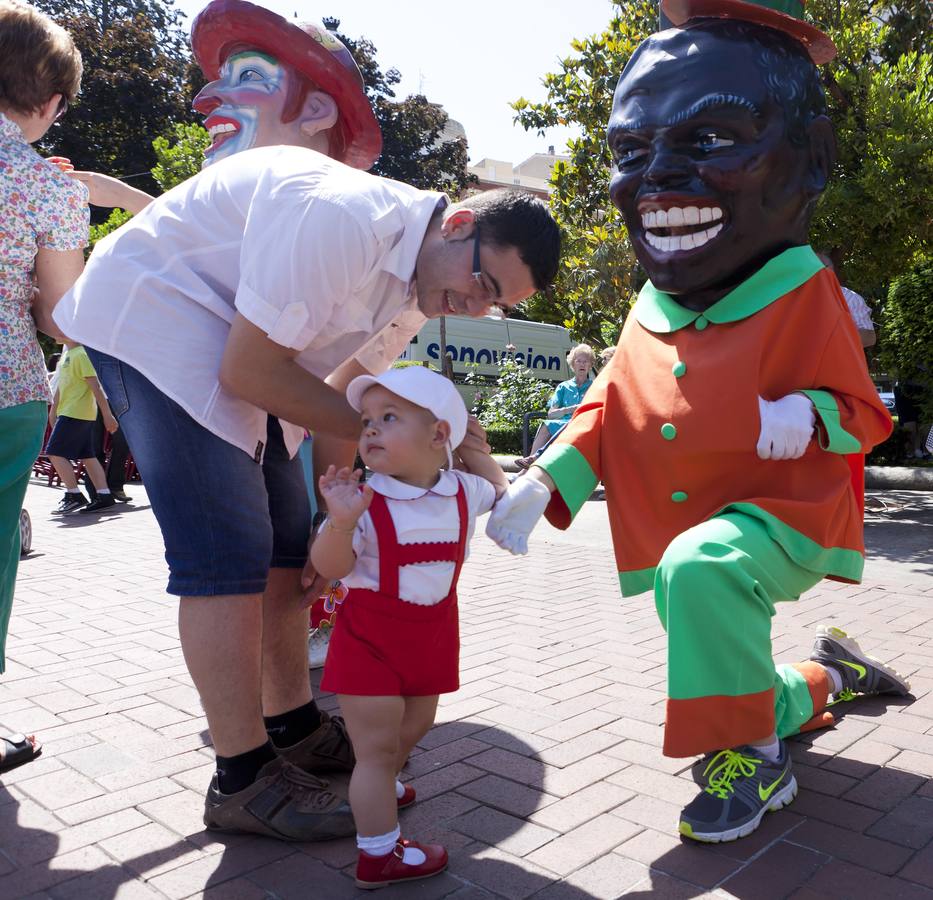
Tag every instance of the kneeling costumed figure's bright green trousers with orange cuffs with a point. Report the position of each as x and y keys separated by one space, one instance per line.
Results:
x=715 y=591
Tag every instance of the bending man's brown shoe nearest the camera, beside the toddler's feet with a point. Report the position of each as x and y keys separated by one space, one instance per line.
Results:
x=283 y=803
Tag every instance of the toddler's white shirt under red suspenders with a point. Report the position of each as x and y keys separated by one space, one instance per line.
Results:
x=420 y=515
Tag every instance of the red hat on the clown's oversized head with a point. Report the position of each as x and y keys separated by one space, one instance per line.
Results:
x=307 y=47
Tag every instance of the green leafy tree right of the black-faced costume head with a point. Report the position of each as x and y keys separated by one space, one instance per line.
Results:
x=876 y=210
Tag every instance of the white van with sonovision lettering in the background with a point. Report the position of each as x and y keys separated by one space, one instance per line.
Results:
x=478 y=344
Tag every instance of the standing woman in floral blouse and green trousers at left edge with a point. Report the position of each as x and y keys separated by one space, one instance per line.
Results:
x=43 y=227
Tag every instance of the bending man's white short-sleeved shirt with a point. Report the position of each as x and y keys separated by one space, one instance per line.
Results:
x=318 y=255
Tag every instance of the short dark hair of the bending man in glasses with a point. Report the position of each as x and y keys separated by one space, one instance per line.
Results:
x=518 y=219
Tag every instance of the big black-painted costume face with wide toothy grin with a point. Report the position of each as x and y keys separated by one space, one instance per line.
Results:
x=704 y=171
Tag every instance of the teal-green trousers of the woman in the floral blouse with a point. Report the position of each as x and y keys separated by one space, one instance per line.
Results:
x=22 y=428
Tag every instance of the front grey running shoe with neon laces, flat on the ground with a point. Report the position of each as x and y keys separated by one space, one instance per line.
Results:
x=741 y=787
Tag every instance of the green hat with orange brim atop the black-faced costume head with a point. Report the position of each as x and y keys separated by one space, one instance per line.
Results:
x=782 y=15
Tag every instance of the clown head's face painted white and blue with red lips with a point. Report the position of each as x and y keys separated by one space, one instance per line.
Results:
x=243 y=107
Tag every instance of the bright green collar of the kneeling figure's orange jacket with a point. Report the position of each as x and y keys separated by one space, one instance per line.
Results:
x=661 y=313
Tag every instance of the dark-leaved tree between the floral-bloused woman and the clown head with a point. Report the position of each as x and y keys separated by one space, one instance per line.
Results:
x=136 y=85
